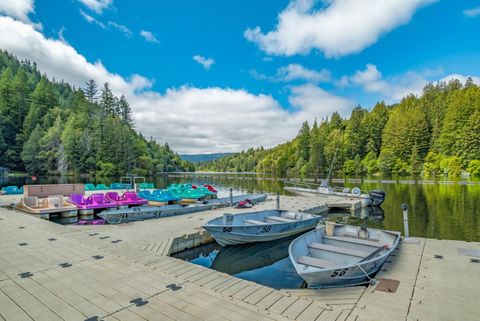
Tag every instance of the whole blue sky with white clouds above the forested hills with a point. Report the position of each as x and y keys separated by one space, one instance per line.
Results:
x=221 y=76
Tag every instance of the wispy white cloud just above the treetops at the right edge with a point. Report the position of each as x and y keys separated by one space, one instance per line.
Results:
x=395 y=88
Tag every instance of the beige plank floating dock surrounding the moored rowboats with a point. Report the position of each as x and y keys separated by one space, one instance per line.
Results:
x=121 y=272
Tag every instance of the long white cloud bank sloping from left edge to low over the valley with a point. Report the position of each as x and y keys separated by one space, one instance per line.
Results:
x=191 y=119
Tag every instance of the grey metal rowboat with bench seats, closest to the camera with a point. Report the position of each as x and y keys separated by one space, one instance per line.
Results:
x=341 y=255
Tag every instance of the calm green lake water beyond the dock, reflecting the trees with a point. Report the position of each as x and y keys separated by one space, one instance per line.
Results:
x=439 y=211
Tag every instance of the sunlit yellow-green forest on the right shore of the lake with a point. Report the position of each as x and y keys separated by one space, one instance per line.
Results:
x=435 y=133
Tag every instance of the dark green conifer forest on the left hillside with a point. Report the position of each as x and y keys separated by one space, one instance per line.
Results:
x=52 y=128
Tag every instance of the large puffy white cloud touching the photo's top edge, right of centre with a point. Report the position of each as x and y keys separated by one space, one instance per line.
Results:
x=339 y=28
